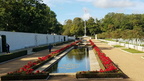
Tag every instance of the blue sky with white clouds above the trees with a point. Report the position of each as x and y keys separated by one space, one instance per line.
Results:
x=69 y=9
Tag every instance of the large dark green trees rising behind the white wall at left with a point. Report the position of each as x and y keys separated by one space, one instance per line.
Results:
x=27 y=16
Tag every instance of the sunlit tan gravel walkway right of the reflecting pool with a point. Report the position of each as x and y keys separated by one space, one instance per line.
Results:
x=131 y=64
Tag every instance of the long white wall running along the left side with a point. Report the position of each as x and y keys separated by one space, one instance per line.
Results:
x=18 y=40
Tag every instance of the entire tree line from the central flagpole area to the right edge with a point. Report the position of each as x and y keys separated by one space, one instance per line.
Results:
x=113 y=25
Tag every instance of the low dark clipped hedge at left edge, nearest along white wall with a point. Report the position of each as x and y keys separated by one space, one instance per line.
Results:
x=6 y=57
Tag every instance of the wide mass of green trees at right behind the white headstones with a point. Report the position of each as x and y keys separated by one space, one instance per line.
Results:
x=119 y=25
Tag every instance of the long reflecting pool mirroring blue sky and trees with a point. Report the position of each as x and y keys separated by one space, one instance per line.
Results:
x=75 y=60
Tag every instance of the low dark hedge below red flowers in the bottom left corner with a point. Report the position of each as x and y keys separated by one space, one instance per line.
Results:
x=24 y=77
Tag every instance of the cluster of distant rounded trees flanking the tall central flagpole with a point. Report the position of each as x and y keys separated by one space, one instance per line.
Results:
x=76 y=27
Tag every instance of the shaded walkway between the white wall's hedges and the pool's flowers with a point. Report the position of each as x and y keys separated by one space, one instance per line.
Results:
x=17 y=63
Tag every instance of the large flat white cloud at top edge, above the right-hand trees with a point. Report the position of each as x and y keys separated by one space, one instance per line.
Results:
x=113 y=3
